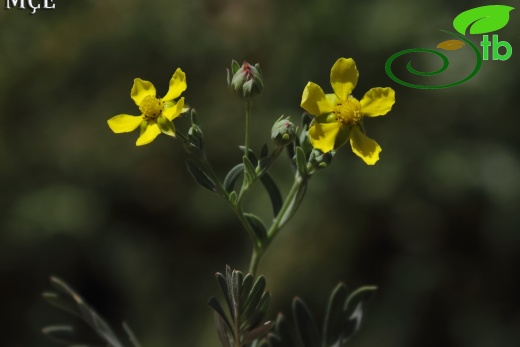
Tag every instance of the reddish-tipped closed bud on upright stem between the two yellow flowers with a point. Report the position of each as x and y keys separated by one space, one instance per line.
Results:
x=245 y=80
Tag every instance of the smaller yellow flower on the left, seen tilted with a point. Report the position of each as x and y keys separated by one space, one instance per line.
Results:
x=156 y=113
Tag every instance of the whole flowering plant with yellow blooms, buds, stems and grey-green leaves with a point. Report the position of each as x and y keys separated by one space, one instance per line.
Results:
x=241 y=320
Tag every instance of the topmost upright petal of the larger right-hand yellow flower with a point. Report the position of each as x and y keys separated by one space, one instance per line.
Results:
x=343 y=77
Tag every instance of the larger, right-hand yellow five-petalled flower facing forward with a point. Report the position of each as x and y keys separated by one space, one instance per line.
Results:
x=339 y=116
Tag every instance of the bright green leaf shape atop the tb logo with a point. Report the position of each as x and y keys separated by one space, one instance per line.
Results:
x=482 y=20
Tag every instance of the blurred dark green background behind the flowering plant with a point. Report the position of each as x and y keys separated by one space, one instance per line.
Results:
x=434 y=224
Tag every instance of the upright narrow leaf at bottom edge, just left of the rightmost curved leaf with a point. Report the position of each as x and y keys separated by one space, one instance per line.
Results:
x=332 y=333
